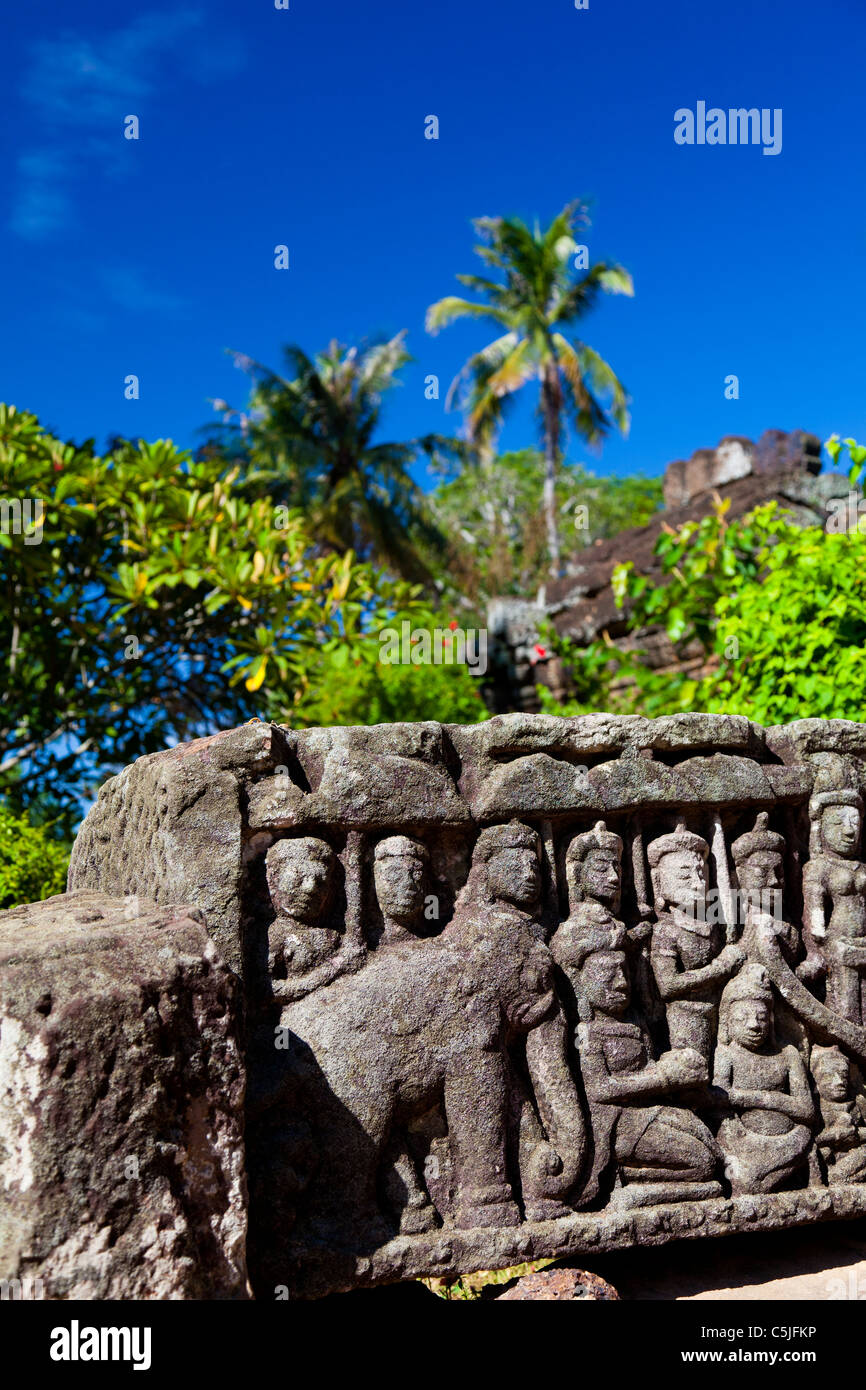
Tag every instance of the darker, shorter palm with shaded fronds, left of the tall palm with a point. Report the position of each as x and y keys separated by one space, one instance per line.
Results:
x=315 y=429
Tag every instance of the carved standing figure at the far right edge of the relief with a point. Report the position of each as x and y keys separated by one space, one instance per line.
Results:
x=835 y=901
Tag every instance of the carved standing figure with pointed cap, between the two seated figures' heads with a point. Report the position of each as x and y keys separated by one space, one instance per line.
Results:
x=689 y=960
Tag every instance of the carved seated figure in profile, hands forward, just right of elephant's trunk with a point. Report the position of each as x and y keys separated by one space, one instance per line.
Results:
x=636 y=1127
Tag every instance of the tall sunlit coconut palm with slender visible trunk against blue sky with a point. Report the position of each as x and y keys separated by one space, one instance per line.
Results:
x=536 y=302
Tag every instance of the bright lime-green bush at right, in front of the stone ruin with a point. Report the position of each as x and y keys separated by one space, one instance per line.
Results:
x=779 y=612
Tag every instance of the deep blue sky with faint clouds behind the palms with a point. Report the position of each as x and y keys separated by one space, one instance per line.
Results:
x=307 y=127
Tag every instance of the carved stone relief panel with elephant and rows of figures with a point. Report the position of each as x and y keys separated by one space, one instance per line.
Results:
x=537 y=986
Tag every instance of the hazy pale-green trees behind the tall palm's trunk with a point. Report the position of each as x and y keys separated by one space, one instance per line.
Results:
x=494 y=518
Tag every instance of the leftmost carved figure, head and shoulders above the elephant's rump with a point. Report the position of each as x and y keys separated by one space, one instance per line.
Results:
x=304 y=953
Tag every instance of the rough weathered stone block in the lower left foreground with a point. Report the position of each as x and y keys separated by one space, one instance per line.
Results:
x=122 y=1104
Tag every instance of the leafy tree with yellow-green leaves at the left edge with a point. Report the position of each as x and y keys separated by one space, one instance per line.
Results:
x=166 y=598
